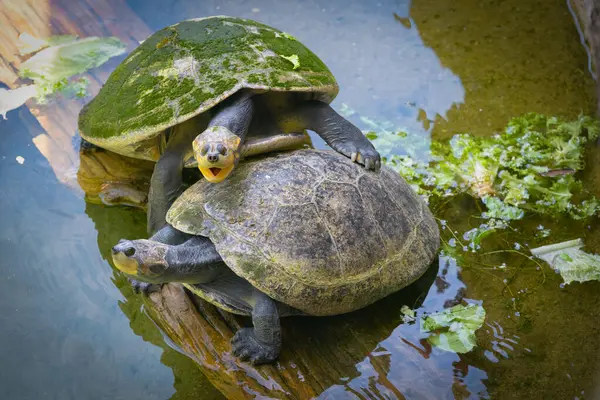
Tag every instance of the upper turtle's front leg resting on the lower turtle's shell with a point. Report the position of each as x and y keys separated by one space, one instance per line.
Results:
x=339 y=133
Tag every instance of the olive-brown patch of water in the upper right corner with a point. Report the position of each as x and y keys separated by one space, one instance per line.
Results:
x=511 y=56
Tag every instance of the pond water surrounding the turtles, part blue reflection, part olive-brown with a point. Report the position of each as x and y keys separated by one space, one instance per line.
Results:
x=72 y=327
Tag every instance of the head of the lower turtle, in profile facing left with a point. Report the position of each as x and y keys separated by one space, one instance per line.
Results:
x=141 y=258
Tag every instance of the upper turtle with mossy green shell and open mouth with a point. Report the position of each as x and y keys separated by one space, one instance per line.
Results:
x=221 y=73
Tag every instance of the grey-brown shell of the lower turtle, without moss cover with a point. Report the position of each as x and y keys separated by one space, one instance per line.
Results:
x=313 y=230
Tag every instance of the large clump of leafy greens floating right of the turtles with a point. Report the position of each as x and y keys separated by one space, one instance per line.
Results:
x=530 y=167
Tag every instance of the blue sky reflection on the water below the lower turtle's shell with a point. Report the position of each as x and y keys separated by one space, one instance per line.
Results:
x=404 y=365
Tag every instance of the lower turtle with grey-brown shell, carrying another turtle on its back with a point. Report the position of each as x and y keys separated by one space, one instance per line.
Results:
x=303 y=232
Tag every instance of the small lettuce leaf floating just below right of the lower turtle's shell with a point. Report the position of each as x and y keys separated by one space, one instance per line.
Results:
x=454 y=329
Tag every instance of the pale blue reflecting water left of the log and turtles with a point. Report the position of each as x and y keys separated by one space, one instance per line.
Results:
x=61 y=316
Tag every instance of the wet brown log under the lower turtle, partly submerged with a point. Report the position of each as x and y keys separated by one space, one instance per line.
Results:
x=320 y=356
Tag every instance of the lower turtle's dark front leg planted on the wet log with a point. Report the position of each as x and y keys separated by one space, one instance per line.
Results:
x=261 y=344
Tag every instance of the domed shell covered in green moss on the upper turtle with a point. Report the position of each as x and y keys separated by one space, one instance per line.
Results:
x=185 y=69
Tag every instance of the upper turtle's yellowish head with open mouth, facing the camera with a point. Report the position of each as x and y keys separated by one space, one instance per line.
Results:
x=217 y=151
